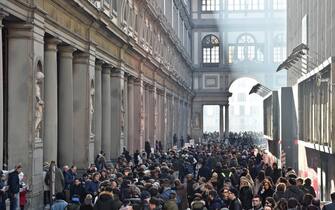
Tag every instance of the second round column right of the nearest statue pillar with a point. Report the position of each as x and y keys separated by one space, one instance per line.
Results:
x=65 y=109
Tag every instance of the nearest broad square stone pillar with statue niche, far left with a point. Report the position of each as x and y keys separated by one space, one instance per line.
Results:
x=25 y=59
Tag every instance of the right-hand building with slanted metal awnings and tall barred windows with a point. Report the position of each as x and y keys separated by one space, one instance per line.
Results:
x=306 y=107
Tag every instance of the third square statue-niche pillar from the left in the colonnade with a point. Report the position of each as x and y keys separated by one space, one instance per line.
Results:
x=118 y=112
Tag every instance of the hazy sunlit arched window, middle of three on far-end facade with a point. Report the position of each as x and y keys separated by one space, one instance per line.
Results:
x=246 y=47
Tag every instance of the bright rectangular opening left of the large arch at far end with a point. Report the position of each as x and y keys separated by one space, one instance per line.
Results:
x=211 y=117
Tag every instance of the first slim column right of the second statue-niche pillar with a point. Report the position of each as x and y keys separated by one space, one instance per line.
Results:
x=98 y=109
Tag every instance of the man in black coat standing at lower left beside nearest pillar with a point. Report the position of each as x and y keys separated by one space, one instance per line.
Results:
x=14 y=187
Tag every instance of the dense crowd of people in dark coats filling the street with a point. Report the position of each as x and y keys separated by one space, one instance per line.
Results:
x=216 y=175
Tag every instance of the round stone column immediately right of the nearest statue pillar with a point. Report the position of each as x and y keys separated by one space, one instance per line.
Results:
x=50 y=144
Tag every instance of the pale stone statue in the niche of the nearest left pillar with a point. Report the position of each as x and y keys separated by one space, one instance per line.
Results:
x=39 y=104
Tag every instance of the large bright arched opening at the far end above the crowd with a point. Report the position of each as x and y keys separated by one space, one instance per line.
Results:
x=245 y=111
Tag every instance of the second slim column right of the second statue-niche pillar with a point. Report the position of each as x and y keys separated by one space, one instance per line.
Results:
x=106 y=111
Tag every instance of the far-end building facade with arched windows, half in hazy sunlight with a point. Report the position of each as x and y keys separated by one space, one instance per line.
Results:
x=234 y=39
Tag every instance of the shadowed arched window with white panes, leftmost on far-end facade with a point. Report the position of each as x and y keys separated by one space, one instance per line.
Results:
x=210 y=49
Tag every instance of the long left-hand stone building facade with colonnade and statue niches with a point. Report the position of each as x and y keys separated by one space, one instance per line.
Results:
x=80 y=77
